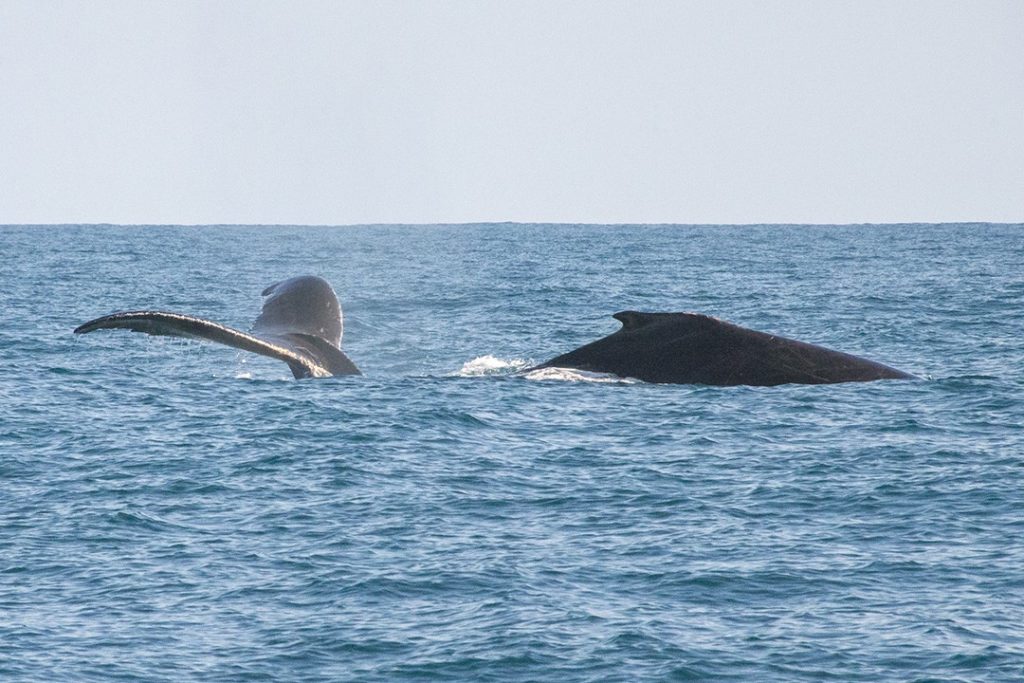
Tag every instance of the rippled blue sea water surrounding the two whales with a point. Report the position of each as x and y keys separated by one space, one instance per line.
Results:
x=177 y=511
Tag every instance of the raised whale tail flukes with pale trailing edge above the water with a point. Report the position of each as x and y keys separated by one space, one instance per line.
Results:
x=301 y=324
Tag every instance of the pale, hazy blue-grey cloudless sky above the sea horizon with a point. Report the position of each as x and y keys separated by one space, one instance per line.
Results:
x=465 y=111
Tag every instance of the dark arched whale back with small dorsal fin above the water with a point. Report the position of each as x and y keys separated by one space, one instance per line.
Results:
x=690 y=349
